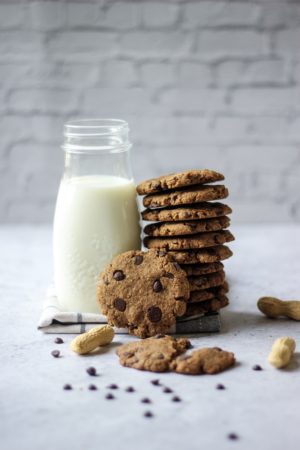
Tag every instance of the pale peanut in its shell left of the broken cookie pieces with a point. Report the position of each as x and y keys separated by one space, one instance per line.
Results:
x=96 y=337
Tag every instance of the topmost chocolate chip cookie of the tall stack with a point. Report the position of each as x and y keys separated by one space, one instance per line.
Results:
x=177 y=180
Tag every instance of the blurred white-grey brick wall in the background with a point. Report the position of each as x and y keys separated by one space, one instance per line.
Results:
x=212 y=83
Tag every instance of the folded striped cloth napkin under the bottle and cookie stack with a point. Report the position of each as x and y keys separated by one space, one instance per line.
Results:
x=54 y=320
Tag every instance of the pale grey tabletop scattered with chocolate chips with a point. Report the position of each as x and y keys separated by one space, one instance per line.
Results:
x=262 y=408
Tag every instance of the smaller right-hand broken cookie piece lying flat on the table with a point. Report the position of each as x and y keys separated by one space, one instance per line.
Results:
x=204 y=360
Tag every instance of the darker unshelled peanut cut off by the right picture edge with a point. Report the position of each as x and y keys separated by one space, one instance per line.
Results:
x=273 y=307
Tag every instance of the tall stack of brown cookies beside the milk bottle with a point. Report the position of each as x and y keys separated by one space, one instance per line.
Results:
x=190 y=224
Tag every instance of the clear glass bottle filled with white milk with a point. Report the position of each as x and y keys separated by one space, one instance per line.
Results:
x=96 y=214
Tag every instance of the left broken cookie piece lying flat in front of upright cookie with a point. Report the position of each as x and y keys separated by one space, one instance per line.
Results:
x=154 y=354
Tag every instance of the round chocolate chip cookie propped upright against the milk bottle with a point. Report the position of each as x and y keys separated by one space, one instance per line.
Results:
x=143 y=292
